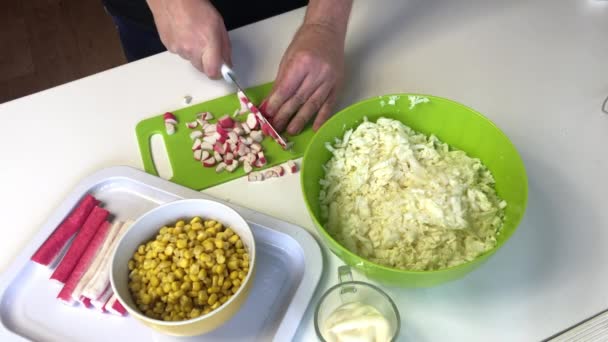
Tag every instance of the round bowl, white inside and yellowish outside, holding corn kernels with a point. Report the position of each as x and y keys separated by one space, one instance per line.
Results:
x=146 y=228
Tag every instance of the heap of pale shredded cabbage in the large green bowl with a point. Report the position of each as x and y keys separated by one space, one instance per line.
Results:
x=399 y=198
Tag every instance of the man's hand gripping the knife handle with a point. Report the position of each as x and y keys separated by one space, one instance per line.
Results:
x=194 y=30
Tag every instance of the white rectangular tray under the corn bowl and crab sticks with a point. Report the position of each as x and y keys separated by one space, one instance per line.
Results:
x=289 y=268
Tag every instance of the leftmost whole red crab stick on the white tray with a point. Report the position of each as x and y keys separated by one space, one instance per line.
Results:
x=51 y=248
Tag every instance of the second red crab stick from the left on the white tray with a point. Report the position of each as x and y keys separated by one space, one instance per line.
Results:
x=97 y=216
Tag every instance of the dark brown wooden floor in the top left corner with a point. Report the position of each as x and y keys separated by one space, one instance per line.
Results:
x=45 y=43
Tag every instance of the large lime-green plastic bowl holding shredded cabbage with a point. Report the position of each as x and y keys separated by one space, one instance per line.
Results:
x=453 y=123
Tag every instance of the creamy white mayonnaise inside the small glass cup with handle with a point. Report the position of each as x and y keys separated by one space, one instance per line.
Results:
x=356 y=322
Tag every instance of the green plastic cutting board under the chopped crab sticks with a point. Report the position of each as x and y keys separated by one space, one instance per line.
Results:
x=189 y=172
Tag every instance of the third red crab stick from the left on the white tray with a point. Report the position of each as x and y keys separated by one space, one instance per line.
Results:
x=84 y=262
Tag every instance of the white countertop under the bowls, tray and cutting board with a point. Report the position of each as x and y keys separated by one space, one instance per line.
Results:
x=536 y=68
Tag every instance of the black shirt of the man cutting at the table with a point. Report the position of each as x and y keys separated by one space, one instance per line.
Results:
x=236 y=13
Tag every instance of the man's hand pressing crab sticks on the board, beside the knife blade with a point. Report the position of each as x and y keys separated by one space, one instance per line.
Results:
x=312 y=68
